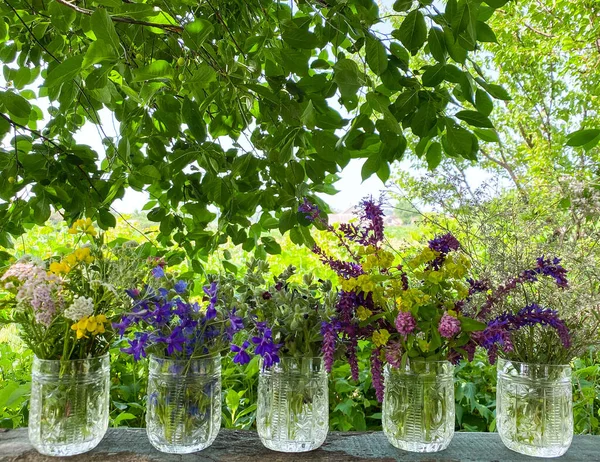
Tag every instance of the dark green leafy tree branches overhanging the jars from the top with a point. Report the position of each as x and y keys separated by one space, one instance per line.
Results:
x=234 y=104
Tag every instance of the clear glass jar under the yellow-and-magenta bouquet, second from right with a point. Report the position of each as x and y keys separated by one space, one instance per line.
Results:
x=418 y=406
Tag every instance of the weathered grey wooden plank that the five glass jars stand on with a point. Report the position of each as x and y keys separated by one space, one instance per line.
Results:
x=131 y=445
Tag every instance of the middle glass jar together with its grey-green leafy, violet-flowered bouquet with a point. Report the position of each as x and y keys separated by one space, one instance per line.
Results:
x=288 y=328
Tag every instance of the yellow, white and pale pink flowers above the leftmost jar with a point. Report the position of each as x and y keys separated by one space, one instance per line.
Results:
x=64 y=305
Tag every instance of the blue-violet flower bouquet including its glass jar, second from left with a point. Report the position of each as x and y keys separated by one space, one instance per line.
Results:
x=184 y=336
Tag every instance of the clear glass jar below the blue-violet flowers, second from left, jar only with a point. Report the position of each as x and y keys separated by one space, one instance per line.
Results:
x=184 y=404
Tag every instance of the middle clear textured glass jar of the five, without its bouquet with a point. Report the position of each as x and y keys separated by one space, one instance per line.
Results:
x=293 y=405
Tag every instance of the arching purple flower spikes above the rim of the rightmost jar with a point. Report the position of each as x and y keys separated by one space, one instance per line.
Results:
x=524 y=319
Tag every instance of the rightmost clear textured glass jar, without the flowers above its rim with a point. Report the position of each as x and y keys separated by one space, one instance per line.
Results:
x=534 y=408
